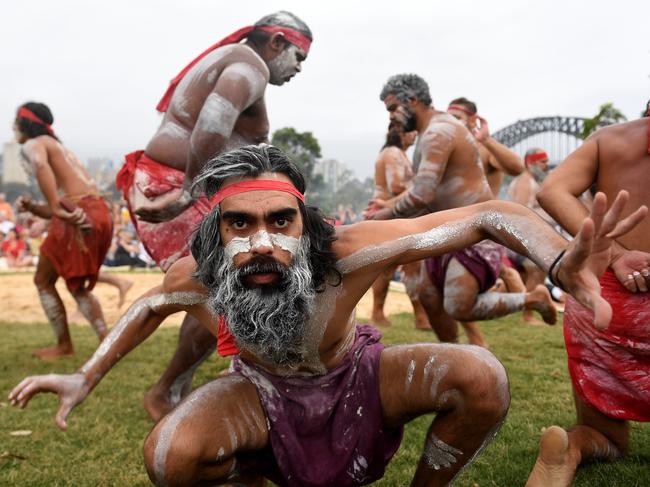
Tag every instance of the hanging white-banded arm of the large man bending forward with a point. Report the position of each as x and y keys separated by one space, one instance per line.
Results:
x=239 y=86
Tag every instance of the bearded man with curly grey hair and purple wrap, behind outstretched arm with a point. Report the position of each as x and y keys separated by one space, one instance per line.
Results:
x=450 y=175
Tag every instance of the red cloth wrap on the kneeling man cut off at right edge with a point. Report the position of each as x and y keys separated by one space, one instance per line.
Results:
x=610 y=369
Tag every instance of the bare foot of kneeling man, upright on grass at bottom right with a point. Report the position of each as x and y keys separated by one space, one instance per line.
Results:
x=555 y=466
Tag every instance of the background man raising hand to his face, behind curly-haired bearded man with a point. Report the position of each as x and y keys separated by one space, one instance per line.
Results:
x=497 y=159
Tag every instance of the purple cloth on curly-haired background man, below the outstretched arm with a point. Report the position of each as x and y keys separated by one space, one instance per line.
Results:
x=482 y=260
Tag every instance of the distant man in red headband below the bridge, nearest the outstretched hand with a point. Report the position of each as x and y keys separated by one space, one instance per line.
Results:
x=523 y=190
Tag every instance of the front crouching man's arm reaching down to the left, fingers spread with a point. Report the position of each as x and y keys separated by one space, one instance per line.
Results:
x=140 y=321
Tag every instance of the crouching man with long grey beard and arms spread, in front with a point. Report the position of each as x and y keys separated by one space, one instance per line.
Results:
x=314 y=399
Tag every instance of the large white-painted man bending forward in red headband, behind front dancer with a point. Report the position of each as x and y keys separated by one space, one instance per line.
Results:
x=214 y=104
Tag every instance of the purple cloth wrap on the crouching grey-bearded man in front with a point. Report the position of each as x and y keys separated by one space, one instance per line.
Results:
x=326 y=430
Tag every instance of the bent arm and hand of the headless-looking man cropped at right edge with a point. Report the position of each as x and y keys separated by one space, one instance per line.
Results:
x=560 y=196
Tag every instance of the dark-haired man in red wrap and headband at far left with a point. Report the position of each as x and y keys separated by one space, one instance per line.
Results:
x=80 y=231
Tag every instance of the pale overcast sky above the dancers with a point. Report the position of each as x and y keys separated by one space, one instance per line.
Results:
x=102 y=66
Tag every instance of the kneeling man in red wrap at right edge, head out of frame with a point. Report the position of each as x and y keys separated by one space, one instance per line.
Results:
x=609 y=366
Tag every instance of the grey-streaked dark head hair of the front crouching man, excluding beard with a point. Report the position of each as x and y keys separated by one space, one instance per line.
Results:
x=249 y=162
